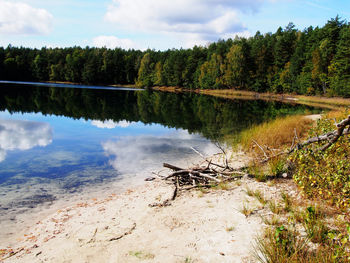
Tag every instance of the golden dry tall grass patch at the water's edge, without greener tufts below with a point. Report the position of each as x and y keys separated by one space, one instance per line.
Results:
x=277 y=133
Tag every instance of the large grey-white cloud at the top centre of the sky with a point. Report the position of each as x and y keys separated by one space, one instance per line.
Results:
x=194 y=21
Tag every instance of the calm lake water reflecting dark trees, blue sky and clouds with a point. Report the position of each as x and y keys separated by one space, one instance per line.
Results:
x=61 y=142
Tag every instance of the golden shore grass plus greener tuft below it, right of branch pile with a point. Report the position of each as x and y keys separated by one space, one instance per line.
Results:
x=268 y=140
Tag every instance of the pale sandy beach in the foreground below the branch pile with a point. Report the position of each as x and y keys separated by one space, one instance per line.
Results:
x=197 y=227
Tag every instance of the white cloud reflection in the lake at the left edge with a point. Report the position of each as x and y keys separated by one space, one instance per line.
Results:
x=23 y=135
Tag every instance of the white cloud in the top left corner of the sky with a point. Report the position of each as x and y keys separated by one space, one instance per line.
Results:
x=21 y=18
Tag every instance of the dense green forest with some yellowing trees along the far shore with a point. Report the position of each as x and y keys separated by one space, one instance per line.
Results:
x=314 y=61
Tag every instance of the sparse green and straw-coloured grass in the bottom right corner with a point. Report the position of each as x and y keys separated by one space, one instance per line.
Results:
x=307 y=237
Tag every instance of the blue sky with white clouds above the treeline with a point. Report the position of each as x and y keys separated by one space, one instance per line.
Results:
x=154 y=24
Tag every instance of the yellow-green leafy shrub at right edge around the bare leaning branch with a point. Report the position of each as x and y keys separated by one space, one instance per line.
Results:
x=325 y=174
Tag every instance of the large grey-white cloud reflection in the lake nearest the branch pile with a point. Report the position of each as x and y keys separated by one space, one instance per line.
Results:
x=143 y=154
